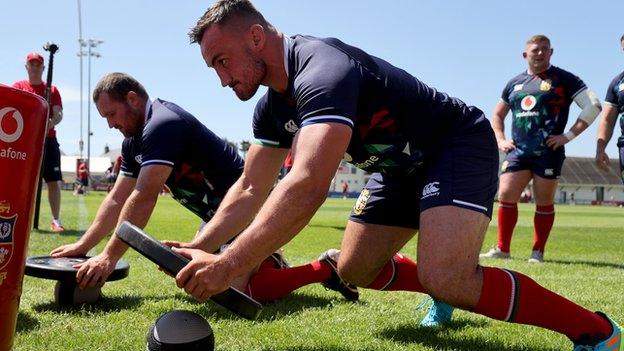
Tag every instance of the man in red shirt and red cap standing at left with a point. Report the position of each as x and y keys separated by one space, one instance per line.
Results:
x=52 y=154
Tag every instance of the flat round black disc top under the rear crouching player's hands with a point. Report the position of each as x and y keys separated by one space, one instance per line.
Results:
x=60 y=268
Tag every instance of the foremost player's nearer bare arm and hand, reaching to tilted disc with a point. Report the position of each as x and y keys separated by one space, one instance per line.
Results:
x=317 y=152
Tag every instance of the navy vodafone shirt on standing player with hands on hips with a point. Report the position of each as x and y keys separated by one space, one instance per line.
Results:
x=540 y=105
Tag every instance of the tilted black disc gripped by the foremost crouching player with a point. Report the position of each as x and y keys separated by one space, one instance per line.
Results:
x=173 y=262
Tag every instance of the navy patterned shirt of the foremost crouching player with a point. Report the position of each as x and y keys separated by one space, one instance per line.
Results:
x=398 y=122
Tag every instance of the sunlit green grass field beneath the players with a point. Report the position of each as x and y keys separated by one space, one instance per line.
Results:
x=585 y=263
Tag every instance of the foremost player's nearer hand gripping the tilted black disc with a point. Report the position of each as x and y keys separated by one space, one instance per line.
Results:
x=204 y=276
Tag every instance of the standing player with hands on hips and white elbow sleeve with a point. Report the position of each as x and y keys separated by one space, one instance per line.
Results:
x=539 y=100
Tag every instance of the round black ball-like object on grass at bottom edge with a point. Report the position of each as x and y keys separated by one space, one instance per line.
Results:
x=180 y=330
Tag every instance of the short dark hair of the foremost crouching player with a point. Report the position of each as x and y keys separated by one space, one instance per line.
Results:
x=221 y=12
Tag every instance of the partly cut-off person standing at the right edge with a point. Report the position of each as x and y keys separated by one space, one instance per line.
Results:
x=613 y=106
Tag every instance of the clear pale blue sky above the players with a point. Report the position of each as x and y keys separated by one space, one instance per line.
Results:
x=467 y=49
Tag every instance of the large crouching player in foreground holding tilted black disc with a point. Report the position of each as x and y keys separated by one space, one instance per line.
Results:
x=435 y=162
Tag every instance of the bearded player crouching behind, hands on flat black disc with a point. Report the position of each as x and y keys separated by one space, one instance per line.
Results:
x=165 y=145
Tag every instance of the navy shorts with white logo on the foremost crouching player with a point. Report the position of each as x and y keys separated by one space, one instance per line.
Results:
x=462 y=174
